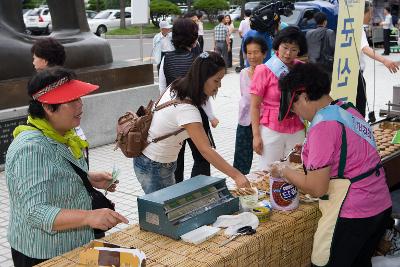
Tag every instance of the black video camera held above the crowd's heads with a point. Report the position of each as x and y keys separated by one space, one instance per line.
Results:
x=266 y=16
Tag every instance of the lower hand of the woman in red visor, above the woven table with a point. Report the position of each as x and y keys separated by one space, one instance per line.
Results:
x=104 y=219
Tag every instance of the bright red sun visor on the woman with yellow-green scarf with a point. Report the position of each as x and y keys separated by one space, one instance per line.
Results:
x=63 y=92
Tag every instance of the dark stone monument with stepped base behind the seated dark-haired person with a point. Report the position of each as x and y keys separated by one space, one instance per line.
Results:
x=89 y=55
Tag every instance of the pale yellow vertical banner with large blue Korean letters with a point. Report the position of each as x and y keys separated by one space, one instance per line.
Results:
x=348 y=38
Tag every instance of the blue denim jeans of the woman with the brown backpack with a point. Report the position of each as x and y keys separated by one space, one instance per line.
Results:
x=153 y=175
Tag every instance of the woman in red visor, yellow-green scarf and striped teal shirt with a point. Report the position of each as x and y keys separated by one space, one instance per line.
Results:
x=50 y=208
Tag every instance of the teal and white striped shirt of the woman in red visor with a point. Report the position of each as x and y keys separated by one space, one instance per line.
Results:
x=41 y=182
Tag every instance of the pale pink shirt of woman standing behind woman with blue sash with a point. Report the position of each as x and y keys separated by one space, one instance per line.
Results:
x=244 y=103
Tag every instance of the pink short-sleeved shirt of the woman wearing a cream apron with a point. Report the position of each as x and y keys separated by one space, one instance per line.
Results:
x=366 y=197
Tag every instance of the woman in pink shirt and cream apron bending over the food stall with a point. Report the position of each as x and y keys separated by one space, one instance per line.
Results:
x=343 y=169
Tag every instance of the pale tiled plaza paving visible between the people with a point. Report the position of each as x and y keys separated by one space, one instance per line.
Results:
x=226 y=109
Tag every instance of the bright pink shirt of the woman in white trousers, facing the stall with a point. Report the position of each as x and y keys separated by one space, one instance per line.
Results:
x=265 y=85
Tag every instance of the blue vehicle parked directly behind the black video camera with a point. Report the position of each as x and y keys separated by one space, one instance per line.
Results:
x=303 y=14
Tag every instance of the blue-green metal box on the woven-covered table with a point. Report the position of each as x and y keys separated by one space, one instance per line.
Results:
x=183 y=207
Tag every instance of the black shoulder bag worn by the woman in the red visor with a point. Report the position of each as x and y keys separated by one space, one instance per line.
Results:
x=99 y=201
